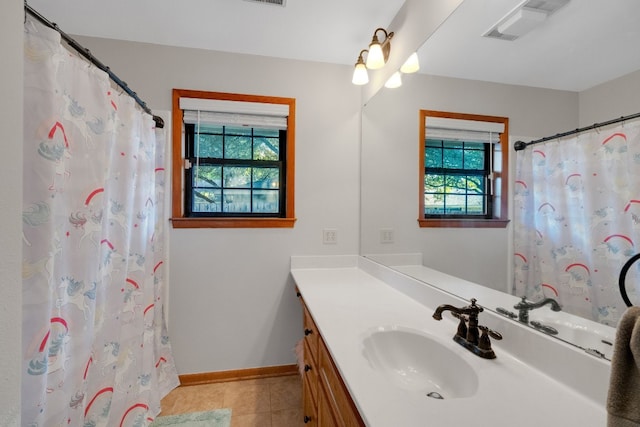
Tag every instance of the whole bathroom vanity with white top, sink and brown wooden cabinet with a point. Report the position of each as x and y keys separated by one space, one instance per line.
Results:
x=375 y=356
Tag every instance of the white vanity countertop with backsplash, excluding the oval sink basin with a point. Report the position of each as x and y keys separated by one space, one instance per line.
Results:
x=347 y=304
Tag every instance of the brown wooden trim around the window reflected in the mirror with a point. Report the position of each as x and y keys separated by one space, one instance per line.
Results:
x=498 y=221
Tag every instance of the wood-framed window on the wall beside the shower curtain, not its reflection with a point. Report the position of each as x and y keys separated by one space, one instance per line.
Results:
x=233 y=160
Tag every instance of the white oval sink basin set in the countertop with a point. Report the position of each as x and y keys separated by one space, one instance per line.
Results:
x=418 y=362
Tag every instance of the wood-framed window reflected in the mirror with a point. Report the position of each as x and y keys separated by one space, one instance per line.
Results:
x=461 y=170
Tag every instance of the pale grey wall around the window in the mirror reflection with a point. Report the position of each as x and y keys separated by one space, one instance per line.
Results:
x=390 y=179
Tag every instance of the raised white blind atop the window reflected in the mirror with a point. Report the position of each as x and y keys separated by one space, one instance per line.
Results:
x=463 y=130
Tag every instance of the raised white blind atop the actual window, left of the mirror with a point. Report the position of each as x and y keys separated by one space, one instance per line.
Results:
x=234 y=113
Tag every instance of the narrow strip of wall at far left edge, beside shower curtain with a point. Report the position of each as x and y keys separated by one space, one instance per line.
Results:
x=11 y=18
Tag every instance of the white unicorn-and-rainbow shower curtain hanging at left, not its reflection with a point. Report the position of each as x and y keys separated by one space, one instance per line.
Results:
x=95 y=344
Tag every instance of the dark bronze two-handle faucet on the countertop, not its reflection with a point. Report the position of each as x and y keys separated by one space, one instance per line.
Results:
x=469 y=336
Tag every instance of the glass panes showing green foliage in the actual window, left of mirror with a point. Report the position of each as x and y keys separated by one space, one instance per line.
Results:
x=235 y=171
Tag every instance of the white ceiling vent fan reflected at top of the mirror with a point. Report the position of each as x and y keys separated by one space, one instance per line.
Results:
x=525 y=17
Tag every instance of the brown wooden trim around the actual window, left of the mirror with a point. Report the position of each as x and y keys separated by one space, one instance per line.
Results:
x=178 y=218
